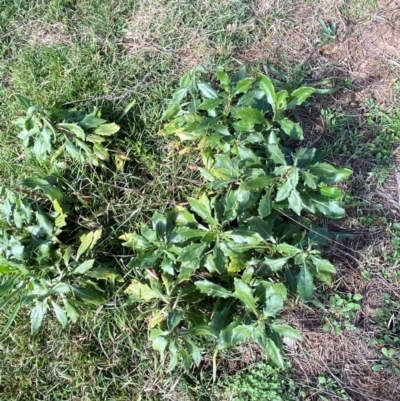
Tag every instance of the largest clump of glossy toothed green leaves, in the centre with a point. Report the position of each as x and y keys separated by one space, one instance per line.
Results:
x=219 y=271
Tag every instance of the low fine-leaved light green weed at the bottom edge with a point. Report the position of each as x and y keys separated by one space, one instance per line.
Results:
x=260 y=382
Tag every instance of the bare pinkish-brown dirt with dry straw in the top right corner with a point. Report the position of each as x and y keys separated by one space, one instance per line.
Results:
x=365 y=50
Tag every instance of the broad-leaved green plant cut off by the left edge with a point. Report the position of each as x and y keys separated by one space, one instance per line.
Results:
x=44 y=263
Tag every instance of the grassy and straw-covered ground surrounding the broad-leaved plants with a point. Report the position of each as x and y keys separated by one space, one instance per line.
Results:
x=109 y=53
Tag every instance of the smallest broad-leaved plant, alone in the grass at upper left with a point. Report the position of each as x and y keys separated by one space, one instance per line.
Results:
x=63 y=133
